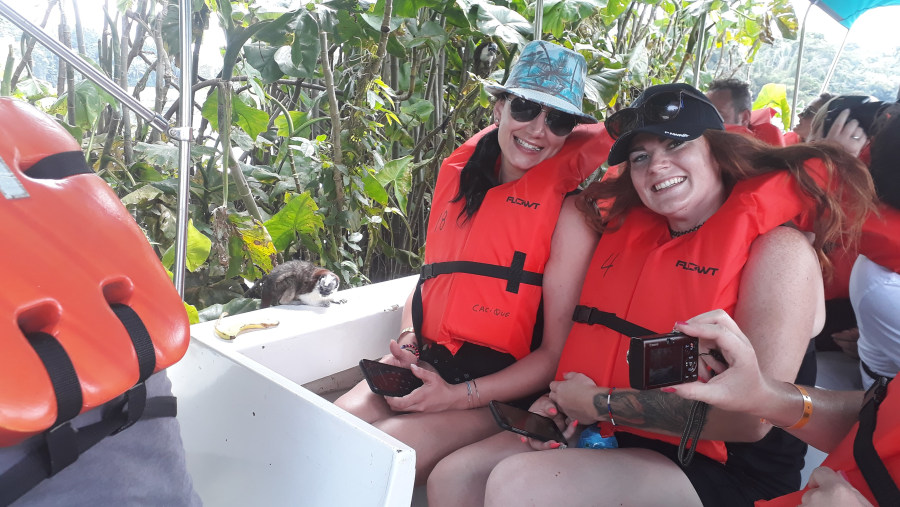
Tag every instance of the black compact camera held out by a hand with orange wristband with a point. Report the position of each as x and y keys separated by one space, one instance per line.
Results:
x=662 y=360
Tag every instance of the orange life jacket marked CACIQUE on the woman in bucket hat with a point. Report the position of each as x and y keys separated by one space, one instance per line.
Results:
x=511 y=229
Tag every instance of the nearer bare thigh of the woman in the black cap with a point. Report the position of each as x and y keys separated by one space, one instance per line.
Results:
x=589 y=477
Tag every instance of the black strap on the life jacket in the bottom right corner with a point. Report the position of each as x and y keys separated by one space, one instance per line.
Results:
x=867 y=459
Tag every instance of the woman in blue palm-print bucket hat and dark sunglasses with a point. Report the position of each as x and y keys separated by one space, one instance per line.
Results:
x=472 y=328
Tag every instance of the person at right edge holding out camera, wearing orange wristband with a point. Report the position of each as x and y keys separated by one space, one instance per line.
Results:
x=825 y=419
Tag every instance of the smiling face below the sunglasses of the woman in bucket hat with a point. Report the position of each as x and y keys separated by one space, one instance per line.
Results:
x=523 y=144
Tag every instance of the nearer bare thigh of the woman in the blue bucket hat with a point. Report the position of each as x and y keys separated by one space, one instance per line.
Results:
x=434 y=435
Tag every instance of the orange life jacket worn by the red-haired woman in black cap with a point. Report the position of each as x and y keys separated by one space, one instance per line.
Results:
x=642 y=275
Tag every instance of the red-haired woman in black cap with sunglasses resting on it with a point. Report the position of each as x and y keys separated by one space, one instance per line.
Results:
x=690 y=224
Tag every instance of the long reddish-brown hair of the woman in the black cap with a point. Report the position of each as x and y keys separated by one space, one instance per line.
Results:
x=840 y=209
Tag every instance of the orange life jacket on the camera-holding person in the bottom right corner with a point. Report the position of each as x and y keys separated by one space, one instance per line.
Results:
x=886 y=440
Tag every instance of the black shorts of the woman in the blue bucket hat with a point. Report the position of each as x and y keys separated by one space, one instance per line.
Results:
x=469 y=363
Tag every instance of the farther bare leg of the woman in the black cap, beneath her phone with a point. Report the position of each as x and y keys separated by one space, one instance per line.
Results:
x=460 y=478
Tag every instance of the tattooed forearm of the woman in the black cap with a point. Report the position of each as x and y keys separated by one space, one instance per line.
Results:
x=647 y=410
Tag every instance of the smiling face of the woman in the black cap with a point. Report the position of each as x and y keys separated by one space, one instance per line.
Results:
x=679 y=180
